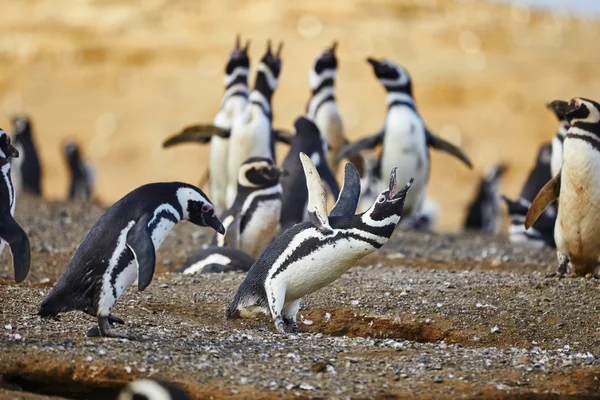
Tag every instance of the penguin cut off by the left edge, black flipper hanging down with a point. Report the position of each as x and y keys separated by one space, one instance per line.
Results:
x=10 y=231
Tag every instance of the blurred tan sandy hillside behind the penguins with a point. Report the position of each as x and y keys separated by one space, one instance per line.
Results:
x=120 y=76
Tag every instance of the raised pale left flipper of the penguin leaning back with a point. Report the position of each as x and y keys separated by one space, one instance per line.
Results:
x=317 y=198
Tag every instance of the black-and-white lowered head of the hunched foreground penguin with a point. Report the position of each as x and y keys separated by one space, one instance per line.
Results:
x=198 y=209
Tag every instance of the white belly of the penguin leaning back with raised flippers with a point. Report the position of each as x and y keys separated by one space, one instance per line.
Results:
x=321 y=267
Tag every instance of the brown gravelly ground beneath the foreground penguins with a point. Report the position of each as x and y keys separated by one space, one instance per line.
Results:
x=428 y=316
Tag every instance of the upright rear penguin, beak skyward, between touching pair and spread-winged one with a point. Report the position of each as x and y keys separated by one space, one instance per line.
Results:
x=322 y=106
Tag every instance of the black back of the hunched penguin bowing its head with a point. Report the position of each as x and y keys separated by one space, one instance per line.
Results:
x=80 y=285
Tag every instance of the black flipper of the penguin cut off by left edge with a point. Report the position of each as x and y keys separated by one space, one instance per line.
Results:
x=17 y=239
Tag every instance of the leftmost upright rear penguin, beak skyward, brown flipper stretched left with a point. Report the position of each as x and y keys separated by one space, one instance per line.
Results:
x=234 y=102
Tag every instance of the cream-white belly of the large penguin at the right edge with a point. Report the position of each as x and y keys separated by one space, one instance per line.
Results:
x=578 y=225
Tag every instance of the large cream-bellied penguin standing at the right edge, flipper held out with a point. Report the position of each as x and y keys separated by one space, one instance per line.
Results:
x=577 y=230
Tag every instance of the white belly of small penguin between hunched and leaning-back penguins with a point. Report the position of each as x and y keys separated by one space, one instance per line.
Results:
x=262 y=228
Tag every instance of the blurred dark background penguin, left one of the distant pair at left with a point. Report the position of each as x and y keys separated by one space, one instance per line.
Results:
x=27 y=169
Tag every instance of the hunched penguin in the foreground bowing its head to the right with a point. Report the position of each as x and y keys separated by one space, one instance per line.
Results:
x=120 y=248
